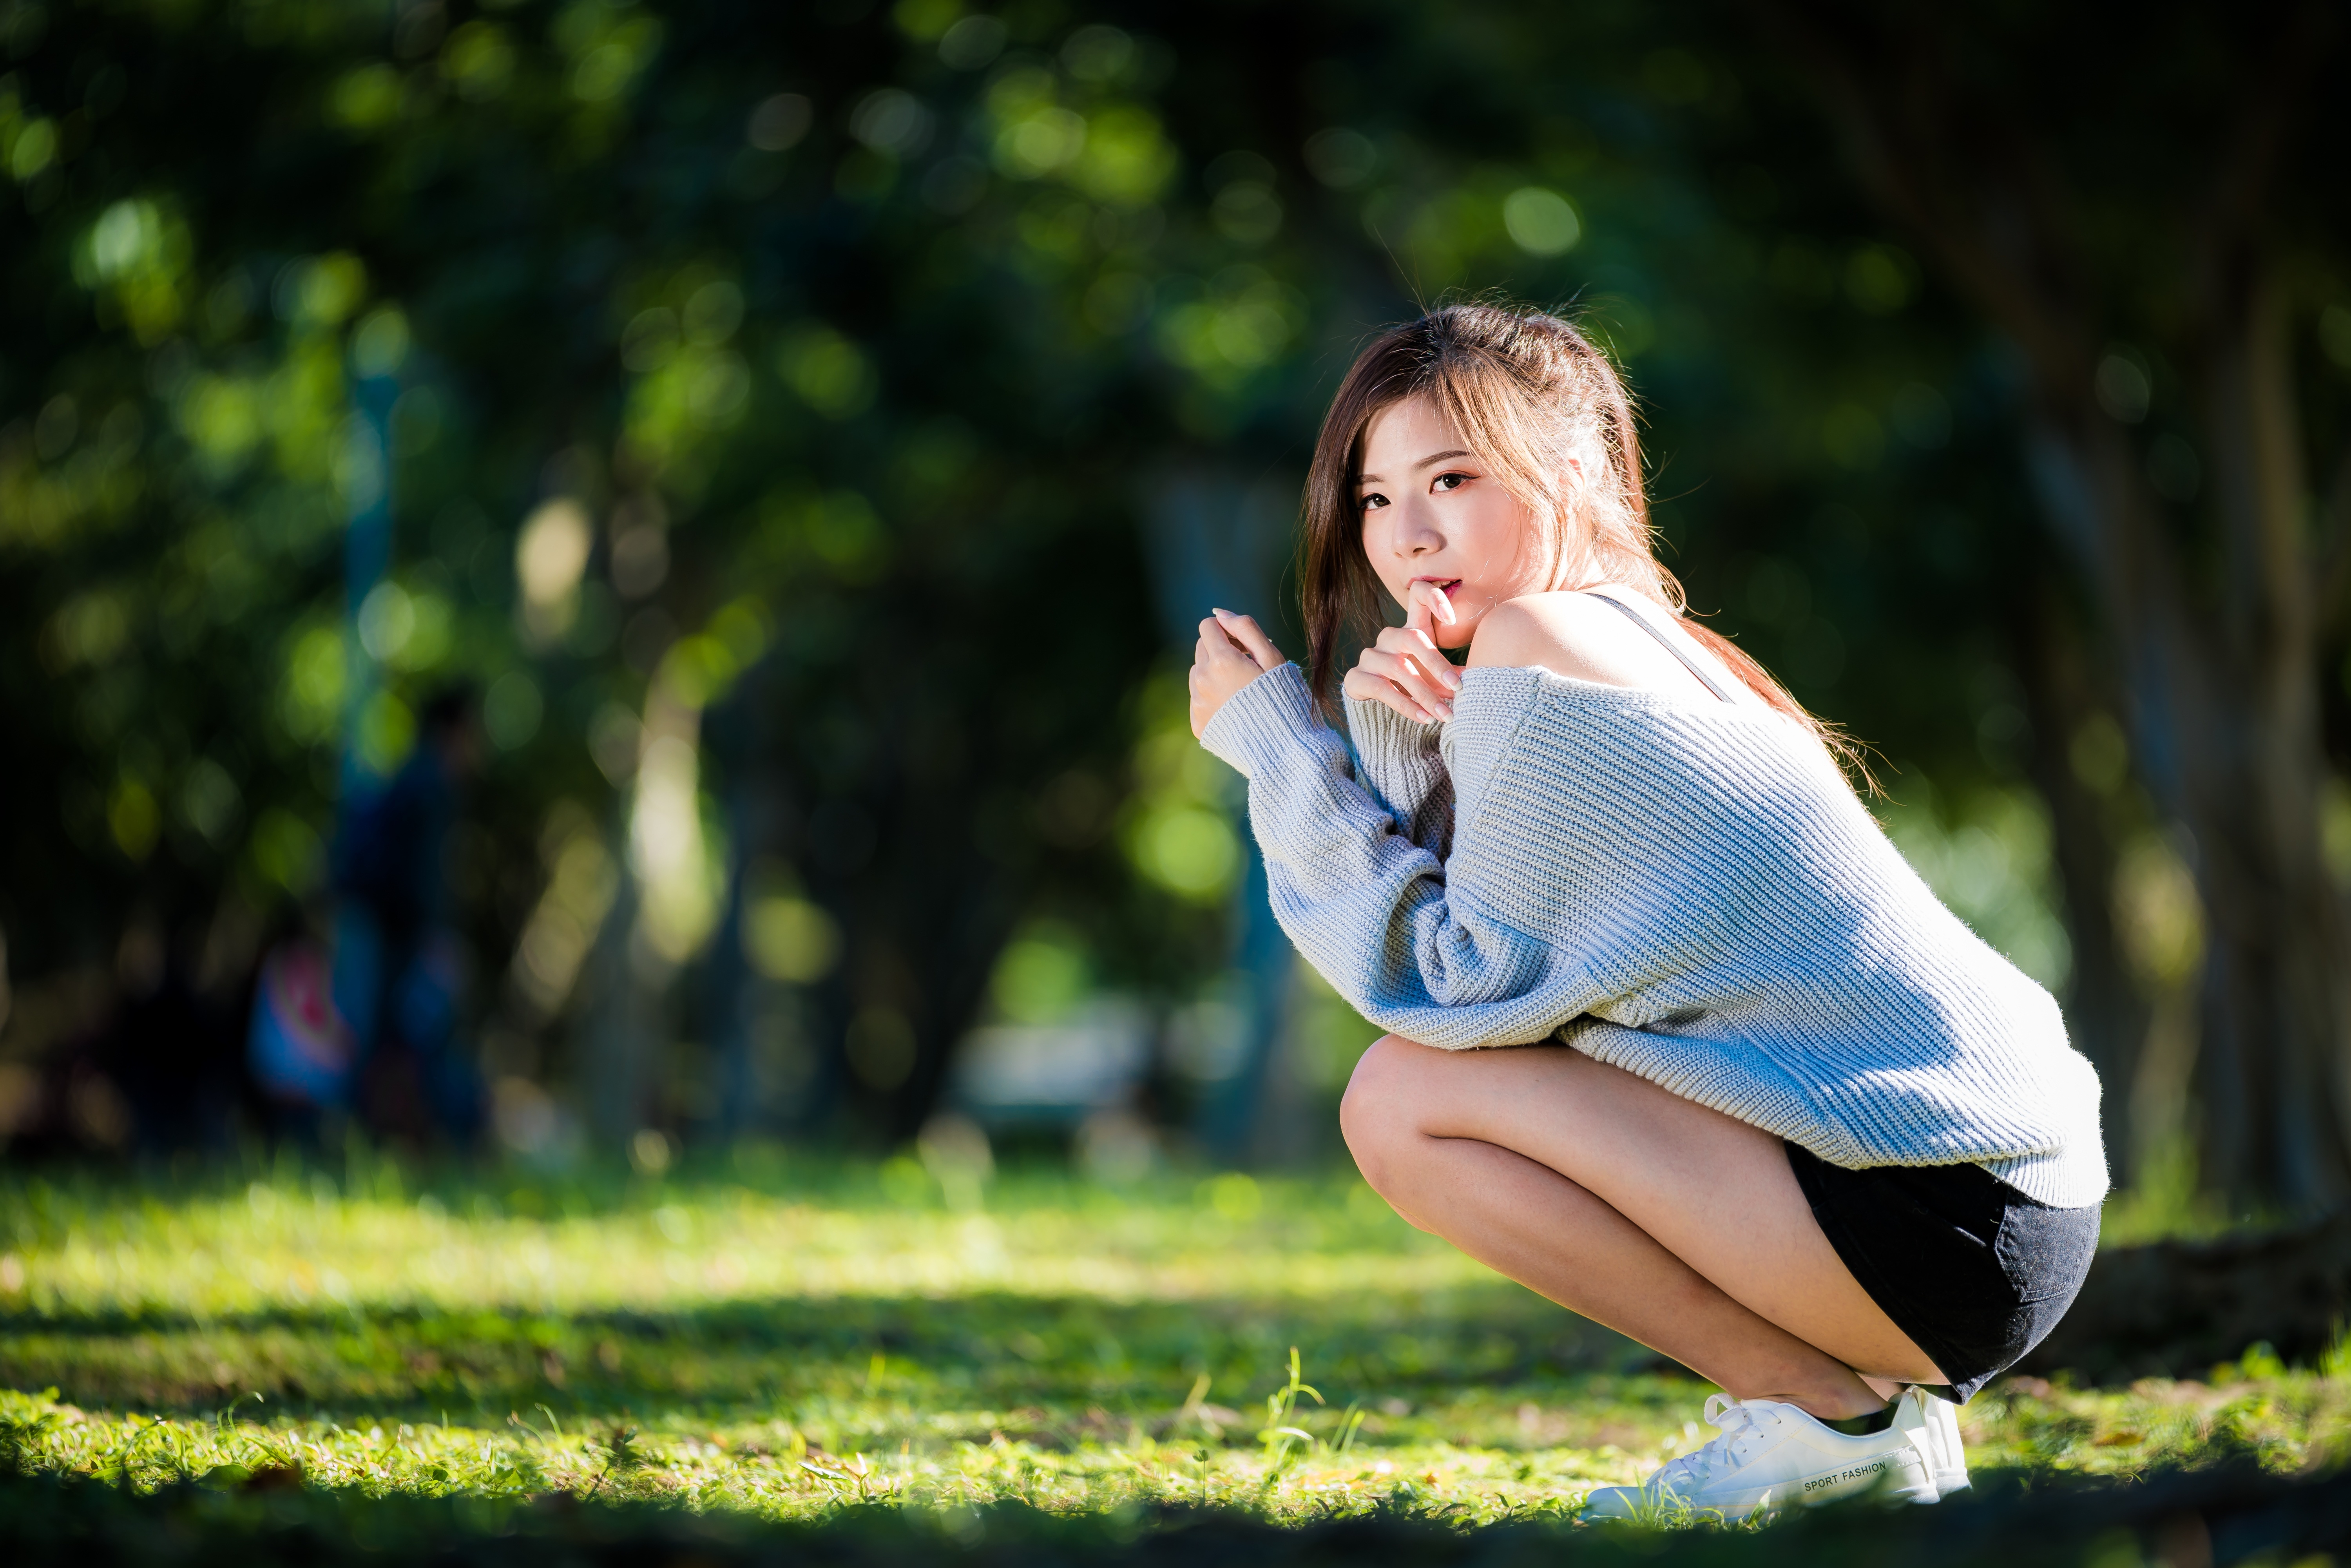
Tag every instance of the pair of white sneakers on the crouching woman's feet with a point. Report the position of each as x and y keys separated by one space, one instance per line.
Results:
x=1771 y=1454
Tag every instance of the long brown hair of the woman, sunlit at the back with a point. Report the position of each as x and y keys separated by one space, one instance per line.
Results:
x=1527 y=394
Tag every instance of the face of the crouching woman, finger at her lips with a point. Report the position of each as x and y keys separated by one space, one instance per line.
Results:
x=1435 y=514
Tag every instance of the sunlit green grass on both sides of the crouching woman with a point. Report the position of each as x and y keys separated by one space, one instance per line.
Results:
x=801 y=1341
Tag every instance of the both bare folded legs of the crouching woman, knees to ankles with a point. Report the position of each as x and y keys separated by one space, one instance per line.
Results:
x=1640 y=1209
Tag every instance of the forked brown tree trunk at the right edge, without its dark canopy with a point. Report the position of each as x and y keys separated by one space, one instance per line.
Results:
x=2225 y=730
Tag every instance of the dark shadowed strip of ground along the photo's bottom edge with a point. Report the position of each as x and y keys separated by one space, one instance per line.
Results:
x=2183 y=1517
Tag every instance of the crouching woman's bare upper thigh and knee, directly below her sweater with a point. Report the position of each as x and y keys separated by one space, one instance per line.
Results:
x=1713 y=1191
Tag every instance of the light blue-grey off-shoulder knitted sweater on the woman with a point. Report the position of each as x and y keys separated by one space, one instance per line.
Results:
x=1692 y=894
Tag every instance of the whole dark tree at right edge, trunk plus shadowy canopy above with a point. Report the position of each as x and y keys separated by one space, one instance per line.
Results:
x=2178 y=302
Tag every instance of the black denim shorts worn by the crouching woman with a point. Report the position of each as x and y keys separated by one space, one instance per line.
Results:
x=1967 y=1266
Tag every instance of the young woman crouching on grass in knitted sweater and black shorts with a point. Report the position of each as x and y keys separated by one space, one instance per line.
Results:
x=1771 y=1108
